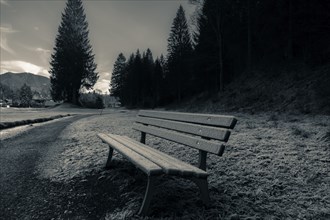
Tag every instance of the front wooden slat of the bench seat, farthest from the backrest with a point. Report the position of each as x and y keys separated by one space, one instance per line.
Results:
x=147 y=166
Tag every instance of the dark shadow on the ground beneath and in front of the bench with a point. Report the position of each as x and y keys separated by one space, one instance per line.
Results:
x=114 y=193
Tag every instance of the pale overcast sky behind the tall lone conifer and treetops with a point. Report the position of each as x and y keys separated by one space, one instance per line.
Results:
x=28 y=31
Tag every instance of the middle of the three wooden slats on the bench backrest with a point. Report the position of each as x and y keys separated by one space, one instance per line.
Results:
x=200 y=130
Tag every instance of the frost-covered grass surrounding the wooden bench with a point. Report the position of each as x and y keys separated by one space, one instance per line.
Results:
x=274 y=167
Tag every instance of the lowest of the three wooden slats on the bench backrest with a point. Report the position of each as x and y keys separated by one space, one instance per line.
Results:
x=198 y=143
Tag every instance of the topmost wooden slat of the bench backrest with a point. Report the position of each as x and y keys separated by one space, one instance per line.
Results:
x=204 y=119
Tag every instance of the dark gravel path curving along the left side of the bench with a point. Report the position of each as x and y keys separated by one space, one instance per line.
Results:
x=23 y=195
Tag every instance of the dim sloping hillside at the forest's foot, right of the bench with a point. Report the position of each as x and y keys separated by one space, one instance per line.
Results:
x=299 y=91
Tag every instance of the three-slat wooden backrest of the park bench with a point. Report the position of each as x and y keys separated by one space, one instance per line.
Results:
x=204 y=132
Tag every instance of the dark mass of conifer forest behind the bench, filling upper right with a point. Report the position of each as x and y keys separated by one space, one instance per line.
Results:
x=231 y=42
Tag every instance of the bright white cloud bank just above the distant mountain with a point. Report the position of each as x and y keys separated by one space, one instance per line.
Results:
x=19 y=66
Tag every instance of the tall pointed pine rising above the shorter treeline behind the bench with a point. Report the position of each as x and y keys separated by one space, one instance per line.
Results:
x=179 y=54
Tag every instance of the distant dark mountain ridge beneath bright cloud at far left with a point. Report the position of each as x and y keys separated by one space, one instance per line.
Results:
x=37 y=83
